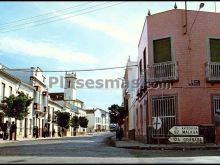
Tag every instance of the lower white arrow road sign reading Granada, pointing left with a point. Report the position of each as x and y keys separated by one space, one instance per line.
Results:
x=186 y=139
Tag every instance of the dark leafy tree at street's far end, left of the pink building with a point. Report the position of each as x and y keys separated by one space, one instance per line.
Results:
x=117 y=113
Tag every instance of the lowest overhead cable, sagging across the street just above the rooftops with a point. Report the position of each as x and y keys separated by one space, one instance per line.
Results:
x=76 y=70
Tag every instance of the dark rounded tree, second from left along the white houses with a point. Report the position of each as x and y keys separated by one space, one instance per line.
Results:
x=63 y=119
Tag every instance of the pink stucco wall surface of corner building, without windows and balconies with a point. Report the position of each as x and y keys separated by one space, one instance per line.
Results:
x=194 y=102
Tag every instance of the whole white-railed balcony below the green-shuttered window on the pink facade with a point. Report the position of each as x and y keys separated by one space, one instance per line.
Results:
x=162 y=72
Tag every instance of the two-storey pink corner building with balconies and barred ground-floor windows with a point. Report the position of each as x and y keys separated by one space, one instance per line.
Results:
x=180 y=49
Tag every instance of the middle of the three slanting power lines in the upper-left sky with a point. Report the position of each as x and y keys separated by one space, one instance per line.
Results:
x=45 y=19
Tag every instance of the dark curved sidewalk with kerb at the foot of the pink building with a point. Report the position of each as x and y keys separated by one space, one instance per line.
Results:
x=133 y=144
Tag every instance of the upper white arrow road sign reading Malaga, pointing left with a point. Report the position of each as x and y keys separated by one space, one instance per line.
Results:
x=185 y=130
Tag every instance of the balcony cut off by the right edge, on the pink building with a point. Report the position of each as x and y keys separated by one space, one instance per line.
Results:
x=213 y=71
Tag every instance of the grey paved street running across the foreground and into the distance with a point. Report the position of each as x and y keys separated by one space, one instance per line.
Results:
x=92 y=149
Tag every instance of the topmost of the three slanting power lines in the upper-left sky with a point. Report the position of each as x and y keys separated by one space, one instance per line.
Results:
x=23 y=19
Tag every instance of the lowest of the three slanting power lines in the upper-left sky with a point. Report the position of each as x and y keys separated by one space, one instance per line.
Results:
x=62 y=18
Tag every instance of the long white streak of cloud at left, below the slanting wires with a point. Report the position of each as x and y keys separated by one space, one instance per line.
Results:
x=44 y=49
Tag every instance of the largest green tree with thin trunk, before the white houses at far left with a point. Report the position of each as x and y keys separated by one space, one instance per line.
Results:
x=17 y=106
